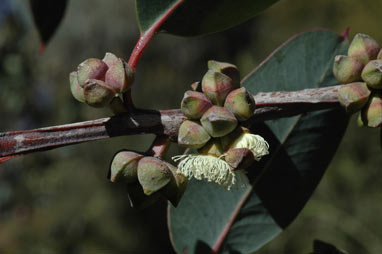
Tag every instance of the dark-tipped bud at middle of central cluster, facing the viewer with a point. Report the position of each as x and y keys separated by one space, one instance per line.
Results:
x=218 y=121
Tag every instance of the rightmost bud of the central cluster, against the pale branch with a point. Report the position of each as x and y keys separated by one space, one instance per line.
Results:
x=240 y=103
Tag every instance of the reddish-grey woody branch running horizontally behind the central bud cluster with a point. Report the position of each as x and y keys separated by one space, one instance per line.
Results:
x=164 y=122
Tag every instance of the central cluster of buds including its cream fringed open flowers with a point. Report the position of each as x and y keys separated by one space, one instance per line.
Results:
x=214 y=108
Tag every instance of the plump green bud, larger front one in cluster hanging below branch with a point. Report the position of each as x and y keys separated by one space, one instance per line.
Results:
x=153 y=174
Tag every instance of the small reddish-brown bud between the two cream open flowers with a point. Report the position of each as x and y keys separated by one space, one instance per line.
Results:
x=239 y=158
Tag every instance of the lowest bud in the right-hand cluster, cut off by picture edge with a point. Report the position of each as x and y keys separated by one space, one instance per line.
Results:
x=372 y=112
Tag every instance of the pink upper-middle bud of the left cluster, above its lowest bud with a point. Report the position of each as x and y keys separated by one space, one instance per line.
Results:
x=91 y=68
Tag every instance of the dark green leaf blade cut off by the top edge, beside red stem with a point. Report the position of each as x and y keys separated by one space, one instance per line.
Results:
x=196 y=17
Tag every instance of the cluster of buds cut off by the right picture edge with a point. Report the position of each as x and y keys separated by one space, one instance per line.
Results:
x=361 y=70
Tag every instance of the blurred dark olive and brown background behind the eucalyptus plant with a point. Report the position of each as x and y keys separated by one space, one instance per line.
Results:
x=61 y=202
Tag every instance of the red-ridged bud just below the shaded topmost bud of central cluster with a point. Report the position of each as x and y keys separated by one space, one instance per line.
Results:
x=216 y=86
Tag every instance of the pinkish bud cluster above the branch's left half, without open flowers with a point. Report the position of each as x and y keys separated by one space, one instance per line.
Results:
x=96 y=82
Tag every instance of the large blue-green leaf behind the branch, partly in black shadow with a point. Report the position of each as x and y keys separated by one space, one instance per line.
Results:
x=301 y=148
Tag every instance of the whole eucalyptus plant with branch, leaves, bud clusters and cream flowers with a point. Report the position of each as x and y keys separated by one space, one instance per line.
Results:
x=256 y=148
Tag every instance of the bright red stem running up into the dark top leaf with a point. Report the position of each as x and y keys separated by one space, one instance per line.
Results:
x=148 y=35
